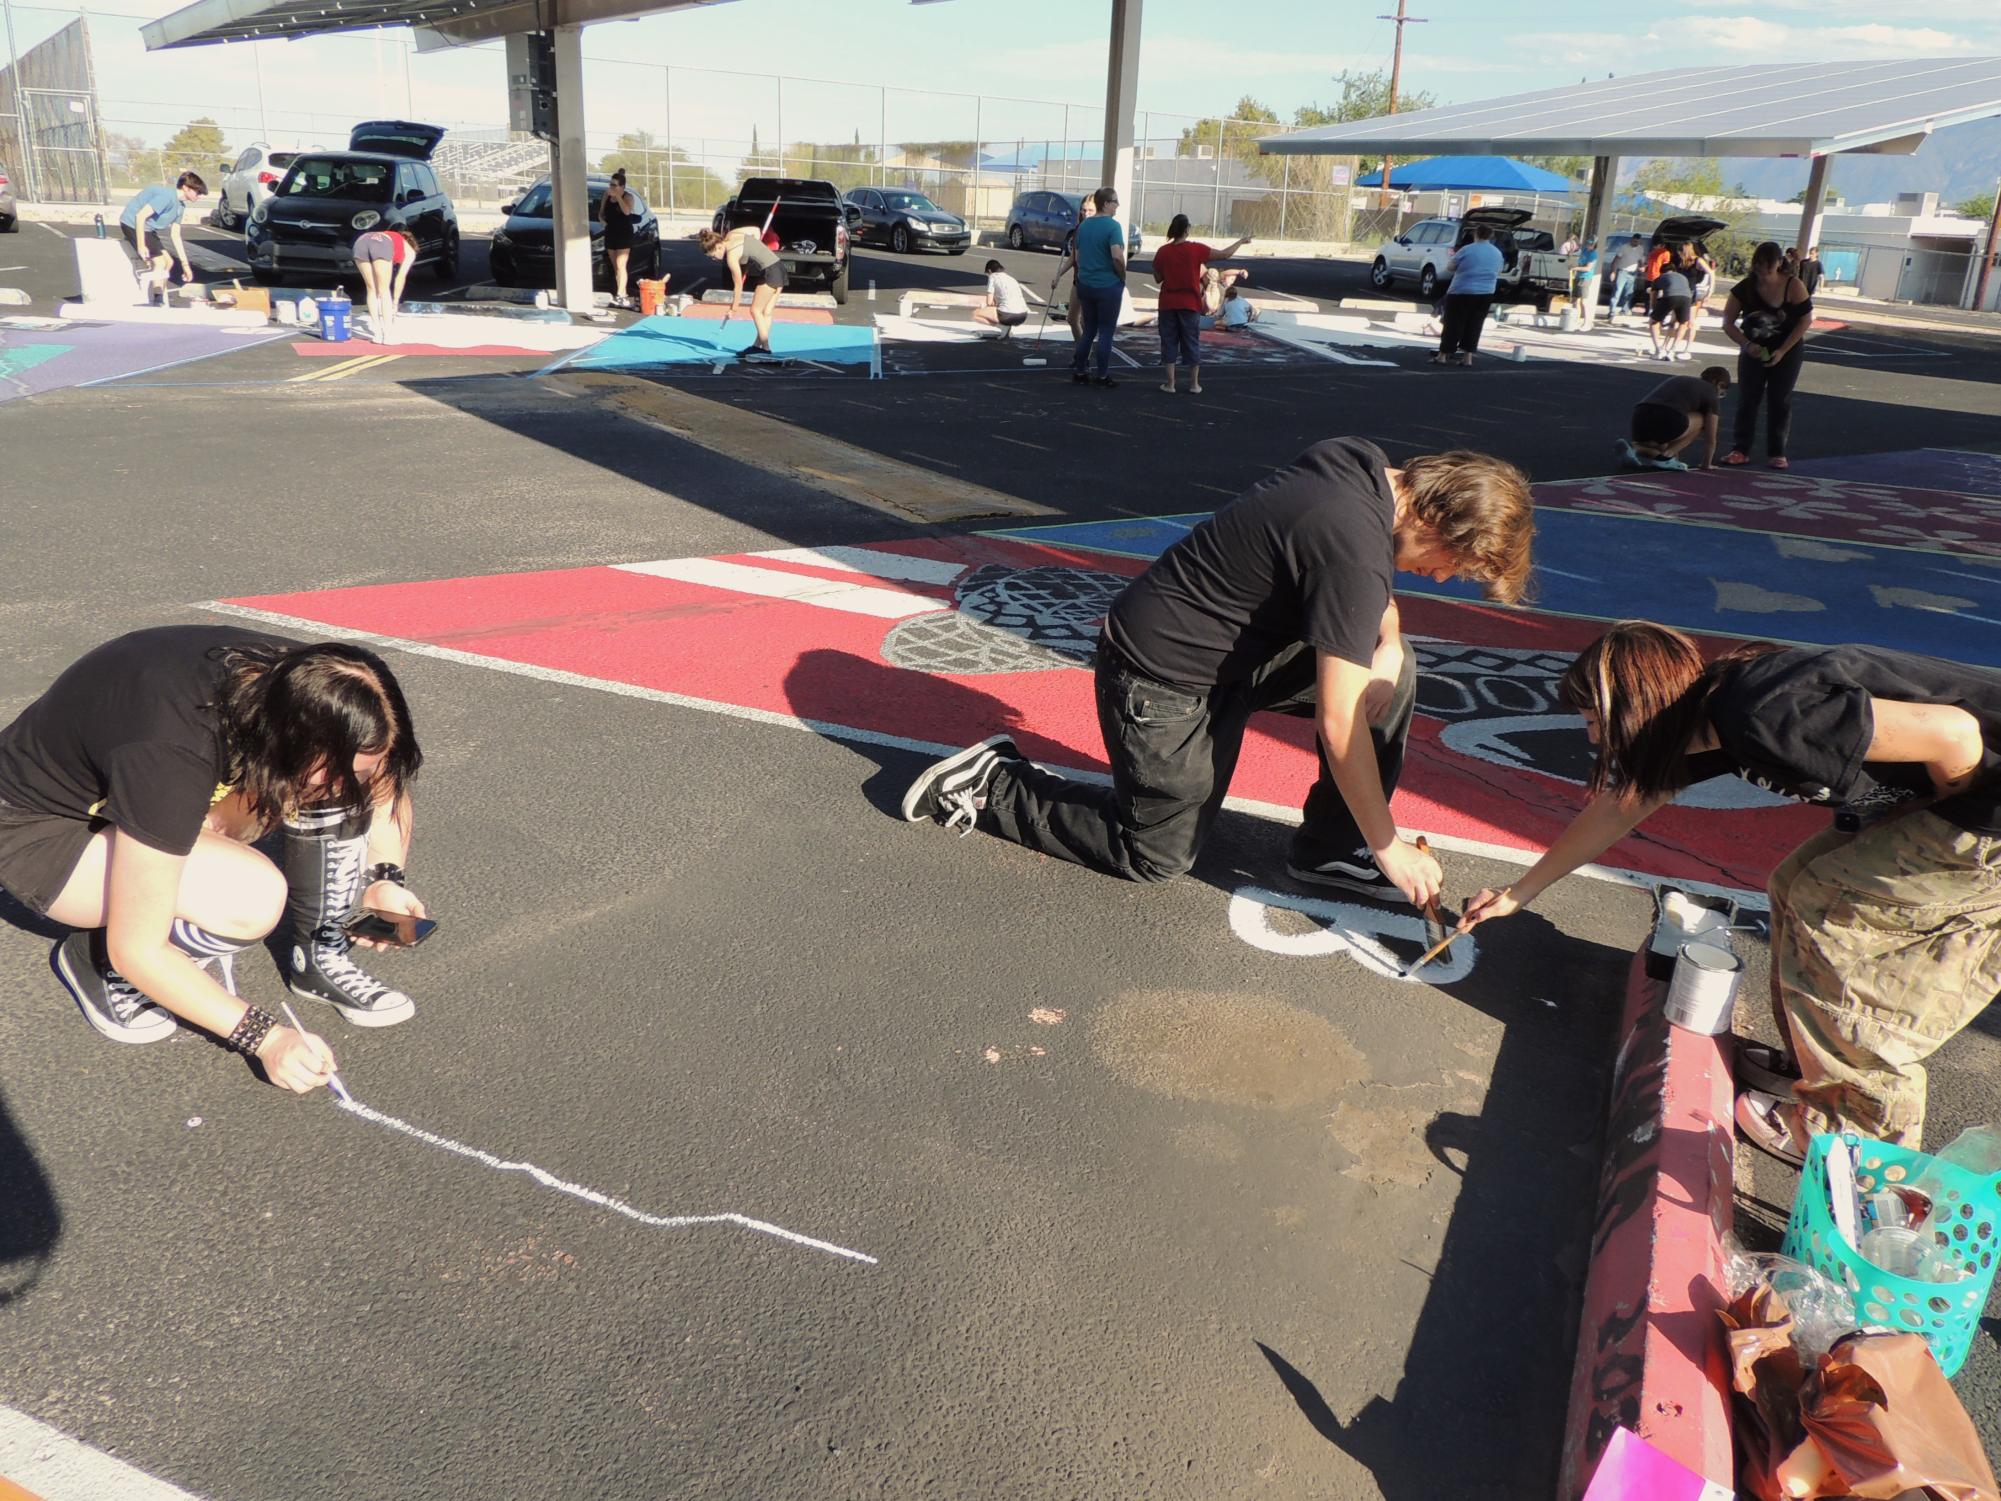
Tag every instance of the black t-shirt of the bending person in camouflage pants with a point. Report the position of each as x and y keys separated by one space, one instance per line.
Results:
x=1798 y=723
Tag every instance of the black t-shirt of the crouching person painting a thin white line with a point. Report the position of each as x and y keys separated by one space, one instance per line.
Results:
x=129 y=733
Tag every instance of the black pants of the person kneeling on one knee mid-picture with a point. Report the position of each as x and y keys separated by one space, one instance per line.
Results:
x=1174 y=754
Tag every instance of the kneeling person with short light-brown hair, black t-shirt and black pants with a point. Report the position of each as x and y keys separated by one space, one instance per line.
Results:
x=1280 y=601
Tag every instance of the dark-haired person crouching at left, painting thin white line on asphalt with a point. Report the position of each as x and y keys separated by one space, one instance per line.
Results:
x=131 y=794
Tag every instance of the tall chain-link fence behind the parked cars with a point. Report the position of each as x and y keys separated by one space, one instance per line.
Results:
x=687 y=137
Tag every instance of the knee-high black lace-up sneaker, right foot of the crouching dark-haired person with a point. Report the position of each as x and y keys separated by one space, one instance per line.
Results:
x=325 y=858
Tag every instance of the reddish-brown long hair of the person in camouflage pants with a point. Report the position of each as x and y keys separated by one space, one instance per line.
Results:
x=1648 y=687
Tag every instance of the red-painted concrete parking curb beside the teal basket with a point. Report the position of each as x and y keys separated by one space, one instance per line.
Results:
x=1650 y=1348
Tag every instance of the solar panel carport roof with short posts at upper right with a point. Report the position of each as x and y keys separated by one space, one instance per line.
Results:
x=1812 y=109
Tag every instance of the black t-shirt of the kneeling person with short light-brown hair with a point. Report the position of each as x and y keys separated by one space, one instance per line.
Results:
x=1304 y=555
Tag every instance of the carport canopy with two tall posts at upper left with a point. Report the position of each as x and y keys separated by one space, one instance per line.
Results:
x=461 y=23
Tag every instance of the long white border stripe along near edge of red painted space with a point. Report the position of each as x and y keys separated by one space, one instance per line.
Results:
x=1278 y=814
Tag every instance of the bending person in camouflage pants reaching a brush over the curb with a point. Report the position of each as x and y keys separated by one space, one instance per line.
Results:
x=1886 y=928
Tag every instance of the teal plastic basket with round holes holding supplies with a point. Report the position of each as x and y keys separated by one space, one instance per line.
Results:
x=1944 y=1314
